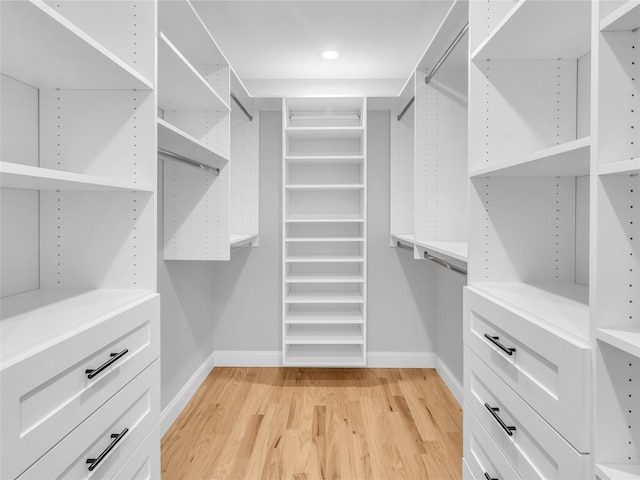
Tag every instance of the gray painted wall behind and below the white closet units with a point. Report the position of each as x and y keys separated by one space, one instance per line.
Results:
x=236 y=305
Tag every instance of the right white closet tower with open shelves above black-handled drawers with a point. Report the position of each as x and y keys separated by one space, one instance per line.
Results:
x=530 y=169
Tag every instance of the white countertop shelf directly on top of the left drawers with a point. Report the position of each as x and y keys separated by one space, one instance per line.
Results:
x=36 y=319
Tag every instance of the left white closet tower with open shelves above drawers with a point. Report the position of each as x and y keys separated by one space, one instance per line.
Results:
x=78 y=268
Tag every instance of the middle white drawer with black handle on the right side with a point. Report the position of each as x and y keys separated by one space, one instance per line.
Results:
x=534 y=449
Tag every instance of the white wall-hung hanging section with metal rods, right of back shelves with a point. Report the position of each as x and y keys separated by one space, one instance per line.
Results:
x=429 y=182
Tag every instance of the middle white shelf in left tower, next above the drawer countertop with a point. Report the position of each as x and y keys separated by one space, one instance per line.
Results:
x=26 y=177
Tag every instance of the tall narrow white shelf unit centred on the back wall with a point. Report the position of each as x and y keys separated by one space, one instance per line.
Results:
x=324 y=232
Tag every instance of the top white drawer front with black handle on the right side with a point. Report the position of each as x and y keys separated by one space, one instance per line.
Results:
x=552 y=373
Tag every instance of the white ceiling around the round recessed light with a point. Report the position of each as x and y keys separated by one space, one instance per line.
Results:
x=274 y=45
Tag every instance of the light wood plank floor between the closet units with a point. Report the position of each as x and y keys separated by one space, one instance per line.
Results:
x=305 y=424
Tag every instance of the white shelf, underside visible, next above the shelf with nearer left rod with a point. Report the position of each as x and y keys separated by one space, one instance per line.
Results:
x=180 y=85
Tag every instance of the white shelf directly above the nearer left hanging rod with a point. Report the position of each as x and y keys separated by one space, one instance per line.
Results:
x=181 y=143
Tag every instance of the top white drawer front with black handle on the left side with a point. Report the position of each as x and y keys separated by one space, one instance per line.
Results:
x=45 y=396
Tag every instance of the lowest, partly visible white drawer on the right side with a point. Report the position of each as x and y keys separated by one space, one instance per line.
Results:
x=484 y=459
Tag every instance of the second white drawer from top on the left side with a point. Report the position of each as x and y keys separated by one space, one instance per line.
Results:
x=135 y=410
